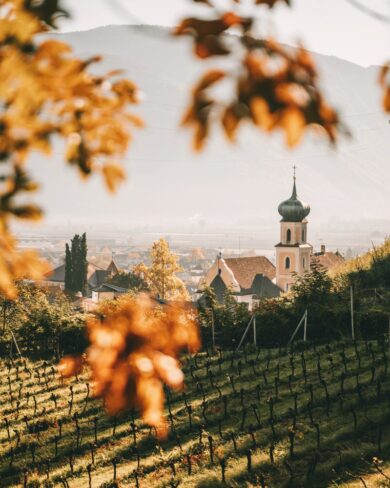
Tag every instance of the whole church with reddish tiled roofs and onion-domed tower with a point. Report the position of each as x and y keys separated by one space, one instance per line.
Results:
x=250 y=279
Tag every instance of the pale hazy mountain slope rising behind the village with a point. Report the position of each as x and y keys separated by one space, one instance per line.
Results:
x=247 y=181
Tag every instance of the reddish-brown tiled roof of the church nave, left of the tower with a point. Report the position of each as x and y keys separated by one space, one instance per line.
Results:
x=245 y=269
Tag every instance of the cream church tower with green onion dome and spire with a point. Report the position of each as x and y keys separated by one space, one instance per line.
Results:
x=293 y=252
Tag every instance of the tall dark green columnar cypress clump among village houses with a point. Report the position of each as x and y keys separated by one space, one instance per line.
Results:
x=76 y=264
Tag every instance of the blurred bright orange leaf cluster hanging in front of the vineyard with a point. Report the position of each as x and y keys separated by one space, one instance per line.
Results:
x=134 y=351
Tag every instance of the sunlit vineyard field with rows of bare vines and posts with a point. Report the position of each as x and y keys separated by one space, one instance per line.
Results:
x=308 y=416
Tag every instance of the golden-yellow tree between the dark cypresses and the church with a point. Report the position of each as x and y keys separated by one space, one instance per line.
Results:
x=160 y=276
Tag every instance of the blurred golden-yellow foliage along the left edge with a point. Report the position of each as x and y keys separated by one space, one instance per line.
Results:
x=47 y=92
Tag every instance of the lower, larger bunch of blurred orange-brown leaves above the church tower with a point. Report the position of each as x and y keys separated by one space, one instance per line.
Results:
x=276 y=89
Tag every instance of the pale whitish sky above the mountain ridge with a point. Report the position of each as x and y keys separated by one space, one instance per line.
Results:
x=326 y=26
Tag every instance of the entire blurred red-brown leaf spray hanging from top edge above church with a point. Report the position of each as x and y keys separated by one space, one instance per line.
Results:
x=274 y=87
